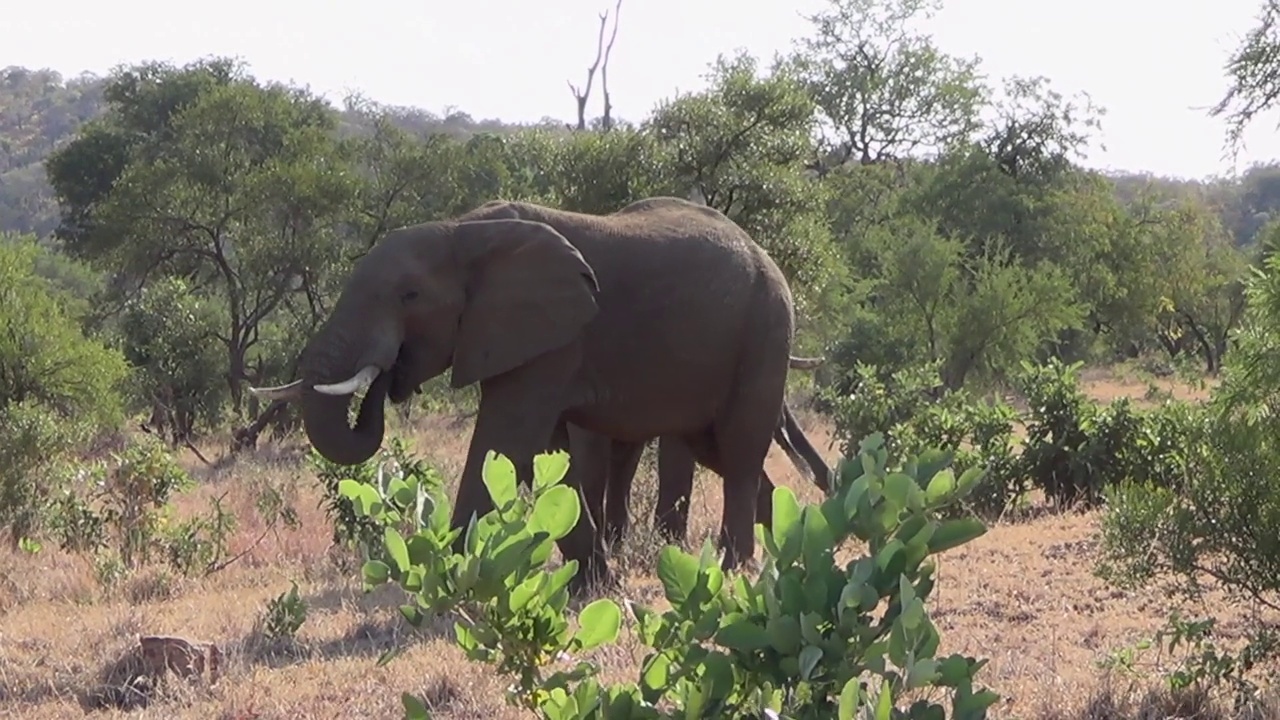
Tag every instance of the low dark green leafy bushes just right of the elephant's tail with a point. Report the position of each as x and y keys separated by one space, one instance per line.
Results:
x=1075 y=446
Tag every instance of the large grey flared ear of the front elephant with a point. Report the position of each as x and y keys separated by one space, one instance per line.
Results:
x=529 y=291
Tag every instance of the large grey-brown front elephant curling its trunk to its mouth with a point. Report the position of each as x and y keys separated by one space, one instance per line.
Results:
x=661 y=320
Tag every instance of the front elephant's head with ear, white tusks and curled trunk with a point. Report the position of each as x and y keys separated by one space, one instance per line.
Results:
x=481 y=297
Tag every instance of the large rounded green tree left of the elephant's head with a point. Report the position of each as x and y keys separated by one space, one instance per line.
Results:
x=207 y=175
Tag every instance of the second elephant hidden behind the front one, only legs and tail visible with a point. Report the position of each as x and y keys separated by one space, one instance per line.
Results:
x=676 y=477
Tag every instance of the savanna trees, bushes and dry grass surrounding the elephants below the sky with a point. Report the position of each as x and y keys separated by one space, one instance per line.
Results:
x=1050 y=394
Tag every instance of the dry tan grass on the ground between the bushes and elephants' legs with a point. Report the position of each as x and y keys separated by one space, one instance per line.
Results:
x=1023 y=596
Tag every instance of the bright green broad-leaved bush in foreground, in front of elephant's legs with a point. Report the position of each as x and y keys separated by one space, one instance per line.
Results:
x=806 y=639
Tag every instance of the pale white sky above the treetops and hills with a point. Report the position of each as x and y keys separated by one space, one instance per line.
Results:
x=1155 y=66
